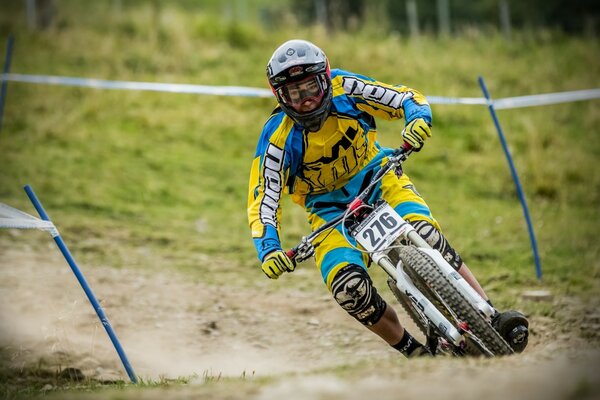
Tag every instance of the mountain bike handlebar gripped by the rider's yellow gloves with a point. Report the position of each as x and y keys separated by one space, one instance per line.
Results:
x=305 y=249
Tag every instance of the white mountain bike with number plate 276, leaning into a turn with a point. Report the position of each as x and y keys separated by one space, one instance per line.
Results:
x=454 y=318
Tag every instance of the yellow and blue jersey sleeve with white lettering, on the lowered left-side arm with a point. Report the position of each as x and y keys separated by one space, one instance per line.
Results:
x=269 y=172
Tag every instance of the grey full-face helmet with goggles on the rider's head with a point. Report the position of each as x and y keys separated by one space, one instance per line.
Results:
x=299 y=75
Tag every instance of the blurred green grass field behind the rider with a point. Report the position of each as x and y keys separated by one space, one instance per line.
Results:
x=159 y=180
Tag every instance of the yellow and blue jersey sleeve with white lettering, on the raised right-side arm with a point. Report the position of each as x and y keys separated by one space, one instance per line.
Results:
x=382 y=100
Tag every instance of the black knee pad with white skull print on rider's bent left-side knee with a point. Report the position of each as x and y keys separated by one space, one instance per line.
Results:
x=353 y=289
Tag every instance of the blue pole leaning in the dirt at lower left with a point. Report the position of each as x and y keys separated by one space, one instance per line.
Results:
x=86 y=288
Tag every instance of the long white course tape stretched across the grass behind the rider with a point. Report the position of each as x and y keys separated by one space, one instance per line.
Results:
x=504 y=103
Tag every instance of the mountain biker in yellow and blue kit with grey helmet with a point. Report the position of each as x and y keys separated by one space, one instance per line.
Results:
x=319 y=145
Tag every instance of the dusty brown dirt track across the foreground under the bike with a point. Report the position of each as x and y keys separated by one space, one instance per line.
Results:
x=171 y=327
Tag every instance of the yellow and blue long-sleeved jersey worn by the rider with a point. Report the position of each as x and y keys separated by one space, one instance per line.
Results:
x=304 y=164
